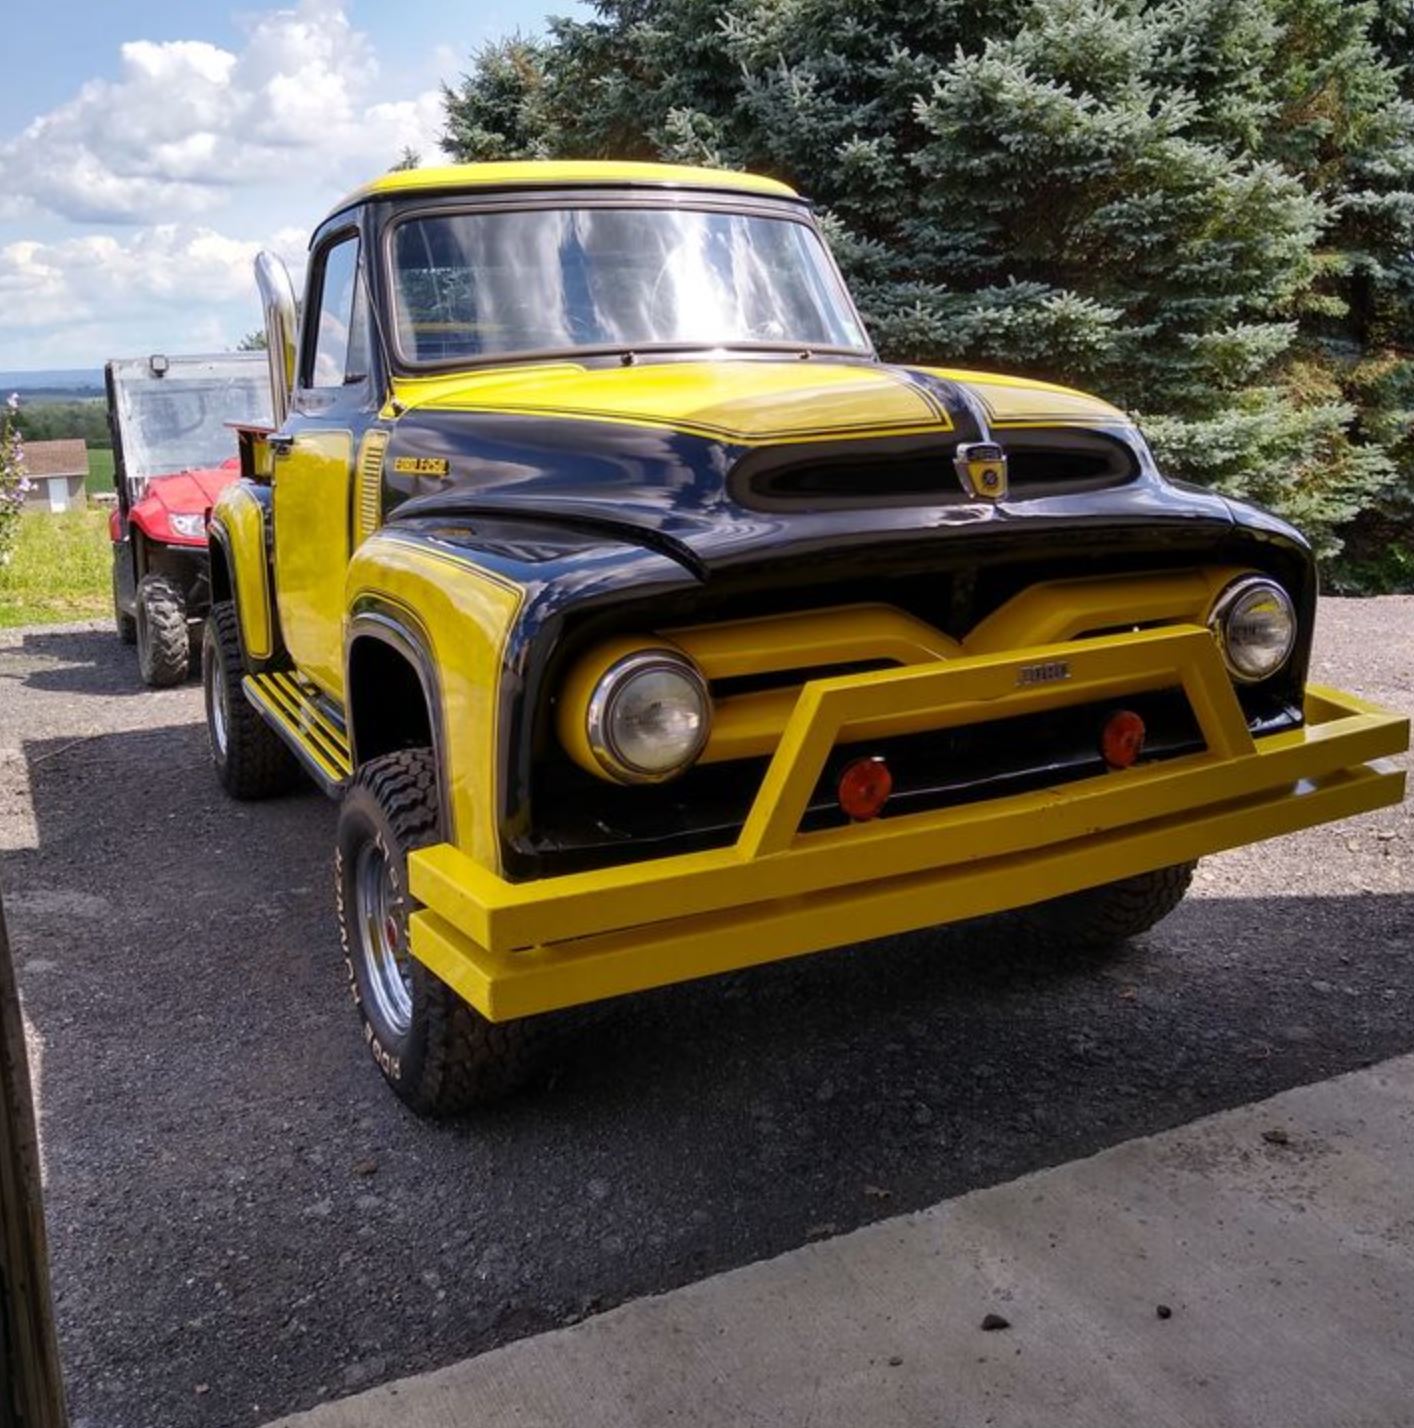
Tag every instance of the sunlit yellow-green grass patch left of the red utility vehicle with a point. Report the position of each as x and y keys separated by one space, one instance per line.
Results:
x=61 y=569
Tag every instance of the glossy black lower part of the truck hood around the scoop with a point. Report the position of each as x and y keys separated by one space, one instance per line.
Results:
x=712 y=505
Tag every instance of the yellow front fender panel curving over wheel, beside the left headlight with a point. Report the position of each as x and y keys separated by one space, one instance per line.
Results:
x=461 y=616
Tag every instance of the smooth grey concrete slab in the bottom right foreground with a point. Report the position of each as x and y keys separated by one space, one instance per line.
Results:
x=1280 y=1239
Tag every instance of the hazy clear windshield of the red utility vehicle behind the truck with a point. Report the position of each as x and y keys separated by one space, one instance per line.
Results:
x=178 y=422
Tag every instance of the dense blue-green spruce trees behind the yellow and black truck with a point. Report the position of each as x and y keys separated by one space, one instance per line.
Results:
x=1203 y=209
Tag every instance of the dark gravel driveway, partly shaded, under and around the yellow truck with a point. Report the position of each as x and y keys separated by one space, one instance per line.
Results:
x=245 y=1222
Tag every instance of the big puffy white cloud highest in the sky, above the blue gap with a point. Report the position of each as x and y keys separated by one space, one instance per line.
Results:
x=188 y=122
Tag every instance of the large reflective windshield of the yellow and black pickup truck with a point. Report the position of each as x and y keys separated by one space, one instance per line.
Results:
x=479 y=285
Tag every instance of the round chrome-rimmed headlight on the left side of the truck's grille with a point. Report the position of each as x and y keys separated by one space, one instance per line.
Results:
x=649 y=718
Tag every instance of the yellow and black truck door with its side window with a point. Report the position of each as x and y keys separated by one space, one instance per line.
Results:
x=314 y=468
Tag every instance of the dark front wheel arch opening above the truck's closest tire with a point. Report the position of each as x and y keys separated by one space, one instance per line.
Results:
x=392 y=690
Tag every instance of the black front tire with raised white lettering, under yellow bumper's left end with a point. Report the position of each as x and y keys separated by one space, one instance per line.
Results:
x=451 y=1059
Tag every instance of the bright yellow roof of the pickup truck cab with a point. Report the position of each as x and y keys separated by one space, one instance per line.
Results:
x=543 y=174
